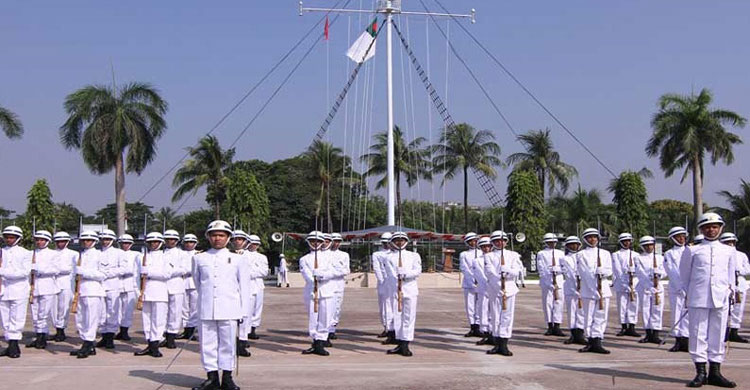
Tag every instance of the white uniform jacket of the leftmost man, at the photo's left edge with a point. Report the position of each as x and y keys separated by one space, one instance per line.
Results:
x=15 y=271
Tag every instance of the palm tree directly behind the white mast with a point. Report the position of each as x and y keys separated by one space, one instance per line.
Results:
x=411 y=161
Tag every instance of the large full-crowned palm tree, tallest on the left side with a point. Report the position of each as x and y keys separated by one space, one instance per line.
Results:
x=115 y=129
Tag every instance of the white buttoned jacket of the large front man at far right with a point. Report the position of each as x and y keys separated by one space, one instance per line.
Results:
x=707 y=274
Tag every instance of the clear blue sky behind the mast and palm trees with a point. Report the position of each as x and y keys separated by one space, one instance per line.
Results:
x=599 y=65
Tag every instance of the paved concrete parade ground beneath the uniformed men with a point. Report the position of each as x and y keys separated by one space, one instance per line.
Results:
x=443 y=358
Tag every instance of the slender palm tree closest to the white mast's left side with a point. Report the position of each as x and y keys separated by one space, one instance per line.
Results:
x=327 y=161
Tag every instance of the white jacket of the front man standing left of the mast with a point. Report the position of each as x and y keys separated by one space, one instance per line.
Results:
x=220 y=277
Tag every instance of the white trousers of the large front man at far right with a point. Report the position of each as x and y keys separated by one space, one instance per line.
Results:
x=707 y=328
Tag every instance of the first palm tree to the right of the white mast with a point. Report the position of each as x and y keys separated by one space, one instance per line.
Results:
x=462 y=148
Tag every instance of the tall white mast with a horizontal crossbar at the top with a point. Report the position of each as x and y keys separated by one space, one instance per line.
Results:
x=389 y=7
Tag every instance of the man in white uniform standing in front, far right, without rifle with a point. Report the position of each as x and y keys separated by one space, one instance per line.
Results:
x=707 y=276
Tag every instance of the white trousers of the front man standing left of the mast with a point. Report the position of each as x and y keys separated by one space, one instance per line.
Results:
x=218 y=344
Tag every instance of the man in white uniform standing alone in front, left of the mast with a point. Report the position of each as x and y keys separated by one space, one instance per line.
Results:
x=221 y=280
